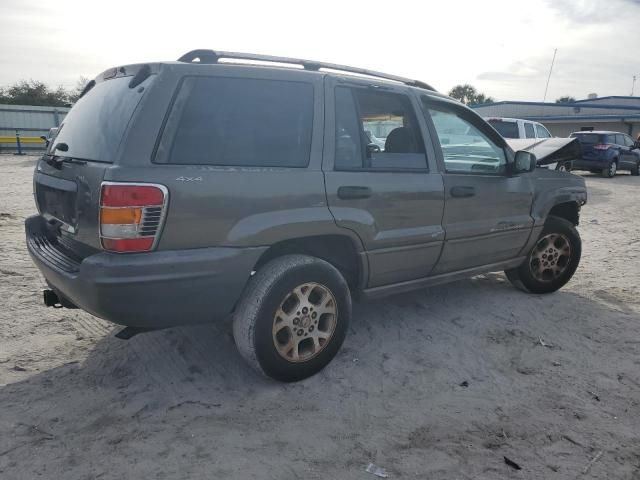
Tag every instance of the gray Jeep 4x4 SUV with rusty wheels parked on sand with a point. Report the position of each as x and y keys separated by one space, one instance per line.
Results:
x=185 y=192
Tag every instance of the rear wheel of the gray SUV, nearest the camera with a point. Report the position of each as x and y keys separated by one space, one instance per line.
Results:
x=293 y=317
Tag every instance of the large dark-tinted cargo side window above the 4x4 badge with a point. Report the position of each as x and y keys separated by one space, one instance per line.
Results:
x=239 y=122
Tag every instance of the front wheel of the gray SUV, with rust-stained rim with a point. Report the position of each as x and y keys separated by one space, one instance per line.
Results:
x=552 y=261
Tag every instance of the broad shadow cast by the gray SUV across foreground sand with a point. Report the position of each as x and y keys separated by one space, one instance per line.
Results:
x=184 y=399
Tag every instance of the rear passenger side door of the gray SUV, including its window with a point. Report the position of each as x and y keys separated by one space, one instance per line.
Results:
x=391 y=197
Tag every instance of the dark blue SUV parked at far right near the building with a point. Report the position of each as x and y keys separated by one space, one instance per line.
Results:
x=607 y=152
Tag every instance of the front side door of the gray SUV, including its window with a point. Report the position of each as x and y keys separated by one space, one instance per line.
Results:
x=487 y=216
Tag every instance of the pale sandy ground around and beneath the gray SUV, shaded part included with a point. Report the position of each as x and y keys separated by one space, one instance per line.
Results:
x=76 y=403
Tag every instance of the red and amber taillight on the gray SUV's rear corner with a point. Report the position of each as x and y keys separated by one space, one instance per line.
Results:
x=131 y=216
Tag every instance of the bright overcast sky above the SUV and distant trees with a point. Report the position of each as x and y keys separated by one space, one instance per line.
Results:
x=502 y=47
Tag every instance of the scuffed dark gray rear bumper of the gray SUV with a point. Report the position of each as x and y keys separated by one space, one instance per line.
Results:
x=147 y=290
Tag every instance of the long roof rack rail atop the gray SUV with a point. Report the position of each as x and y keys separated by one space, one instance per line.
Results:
x=213 y=56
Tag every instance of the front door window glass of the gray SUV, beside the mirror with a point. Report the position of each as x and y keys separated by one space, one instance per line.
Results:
x=465 y=149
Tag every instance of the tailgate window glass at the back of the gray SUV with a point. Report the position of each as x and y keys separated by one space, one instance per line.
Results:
x=94 y=127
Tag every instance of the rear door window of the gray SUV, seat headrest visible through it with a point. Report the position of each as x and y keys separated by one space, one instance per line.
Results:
x=376 y=130
